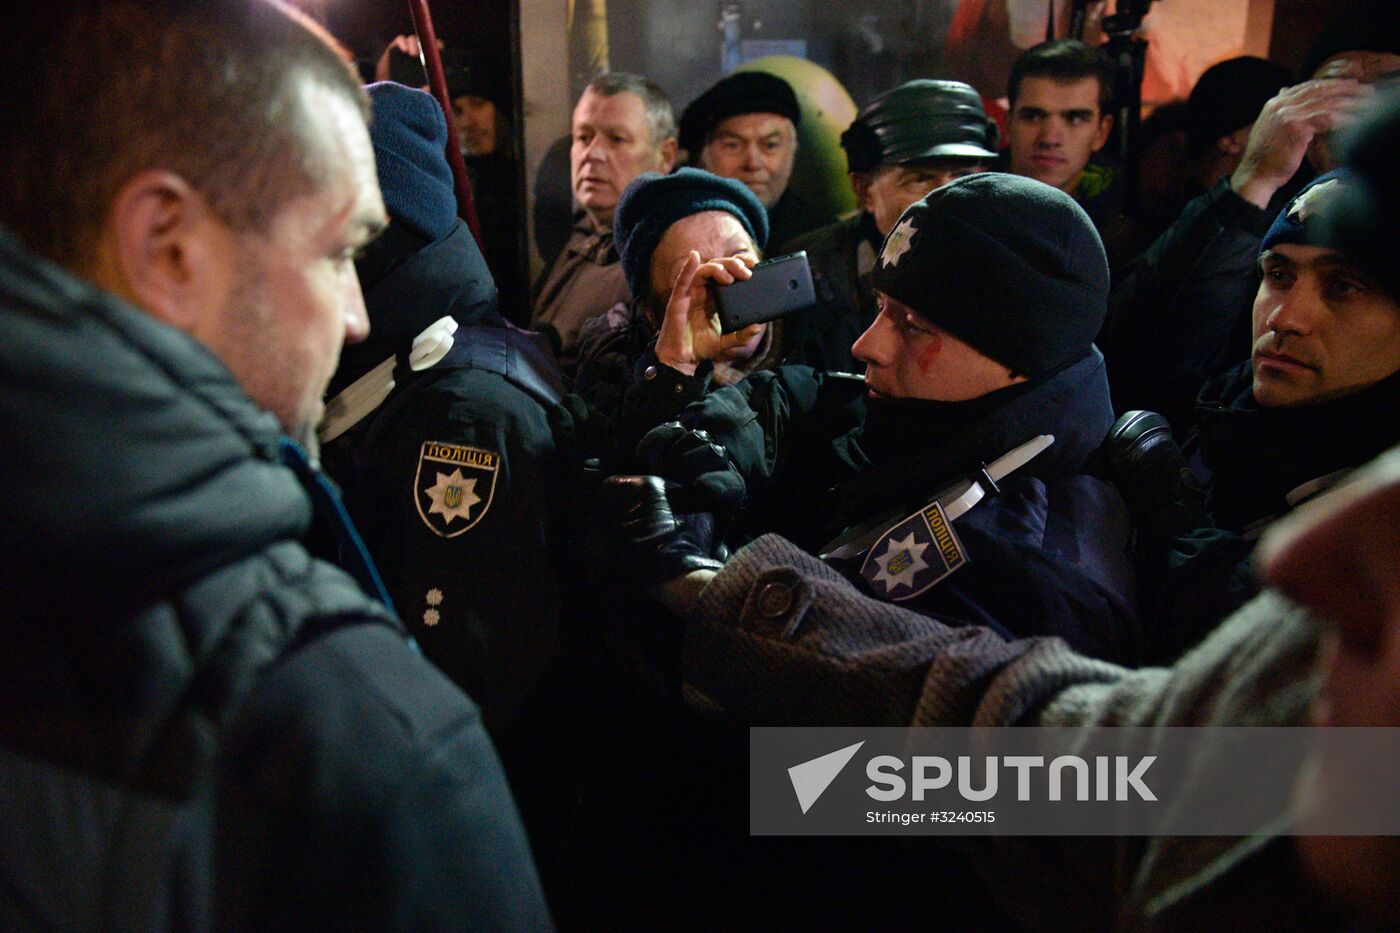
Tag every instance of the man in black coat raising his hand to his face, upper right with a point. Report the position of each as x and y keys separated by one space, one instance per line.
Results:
x=1179 y=316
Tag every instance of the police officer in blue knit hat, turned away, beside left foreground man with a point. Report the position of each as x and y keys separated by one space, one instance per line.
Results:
x=440 y=431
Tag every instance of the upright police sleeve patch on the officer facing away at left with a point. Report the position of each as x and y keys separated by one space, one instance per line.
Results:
x=454 y=487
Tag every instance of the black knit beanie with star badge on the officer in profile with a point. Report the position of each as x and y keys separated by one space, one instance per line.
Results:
x=1006 y=264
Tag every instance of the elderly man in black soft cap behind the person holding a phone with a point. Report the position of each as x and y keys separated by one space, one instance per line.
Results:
x=745 y=128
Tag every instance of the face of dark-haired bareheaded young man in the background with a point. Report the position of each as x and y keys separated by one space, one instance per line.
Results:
x=1055 y=128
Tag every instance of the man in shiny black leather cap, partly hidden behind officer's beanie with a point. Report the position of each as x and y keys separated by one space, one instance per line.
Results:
x=906 y=144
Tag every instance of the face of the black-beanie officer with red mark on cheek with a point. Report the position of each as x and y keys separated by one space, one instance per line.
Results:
x=908 y=357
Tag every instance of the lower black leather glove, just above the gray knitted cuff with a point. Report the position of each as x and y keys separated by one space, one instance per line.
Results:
x=642 y=541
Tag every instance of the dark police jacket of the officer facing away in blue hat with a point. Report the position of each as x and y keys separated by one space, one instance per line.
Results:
x=454 y=480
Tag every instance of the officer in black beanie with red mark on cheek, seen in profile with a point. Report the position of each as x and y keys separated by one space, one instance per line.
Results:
x=957 y=378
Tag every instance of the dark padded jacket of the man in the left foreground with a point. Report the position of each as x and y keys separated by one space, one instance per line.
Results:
x=199 y=724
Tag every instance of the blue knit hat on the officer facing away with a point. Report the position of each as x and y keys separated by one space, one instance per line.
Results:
x=409 y=137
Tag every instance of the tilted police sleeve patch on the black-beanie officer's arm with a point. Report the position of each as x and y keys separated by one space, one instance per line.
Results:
x=913 y=555
